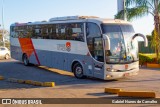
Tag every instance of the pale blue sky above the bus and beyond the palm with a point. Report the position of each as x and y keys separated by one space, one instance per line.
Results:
x=39 y=10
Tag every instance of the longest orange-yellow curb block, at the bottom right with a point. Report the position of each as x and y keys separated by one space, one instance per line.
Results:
x=141 y=94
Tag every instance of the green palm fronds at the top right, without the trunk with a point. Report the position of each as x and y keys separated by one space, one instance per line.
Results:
x=138 y=9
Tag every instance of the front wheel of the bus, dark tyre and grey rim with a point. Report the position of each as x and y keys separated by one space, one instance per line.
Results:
x=78 y=71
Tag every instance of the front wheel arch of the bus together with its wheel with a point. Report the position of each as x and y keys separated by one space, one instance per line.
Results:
x=77 y=69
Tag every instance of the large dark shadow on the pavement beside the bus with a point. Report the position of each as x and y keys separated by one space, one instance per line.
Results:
x=15 y=69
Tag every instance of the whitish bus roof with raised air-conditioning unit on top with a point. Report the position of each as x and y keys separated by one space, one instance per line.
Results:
x=75 y=19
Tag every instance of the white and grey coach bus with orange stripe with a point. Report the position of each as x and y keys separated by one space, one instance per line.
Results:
x=88 y=46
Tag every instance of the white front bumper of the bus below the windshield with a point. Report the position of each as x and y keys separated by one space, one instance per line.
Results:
x=117 y=75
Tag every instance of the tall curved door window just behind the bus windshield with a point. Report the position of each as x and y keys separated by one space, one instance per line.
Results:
x=94 y=41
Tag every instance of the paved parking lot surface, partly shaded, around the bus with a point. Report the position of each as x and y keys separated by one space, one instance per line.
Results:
x=67 y=86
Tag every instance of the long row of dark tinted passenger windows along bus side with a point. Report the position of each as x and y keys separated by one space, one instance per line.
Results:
x=72 y=31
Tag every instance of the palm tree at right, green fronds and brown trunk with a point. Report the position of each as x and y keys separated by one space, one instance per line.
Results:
x=140 y=8
